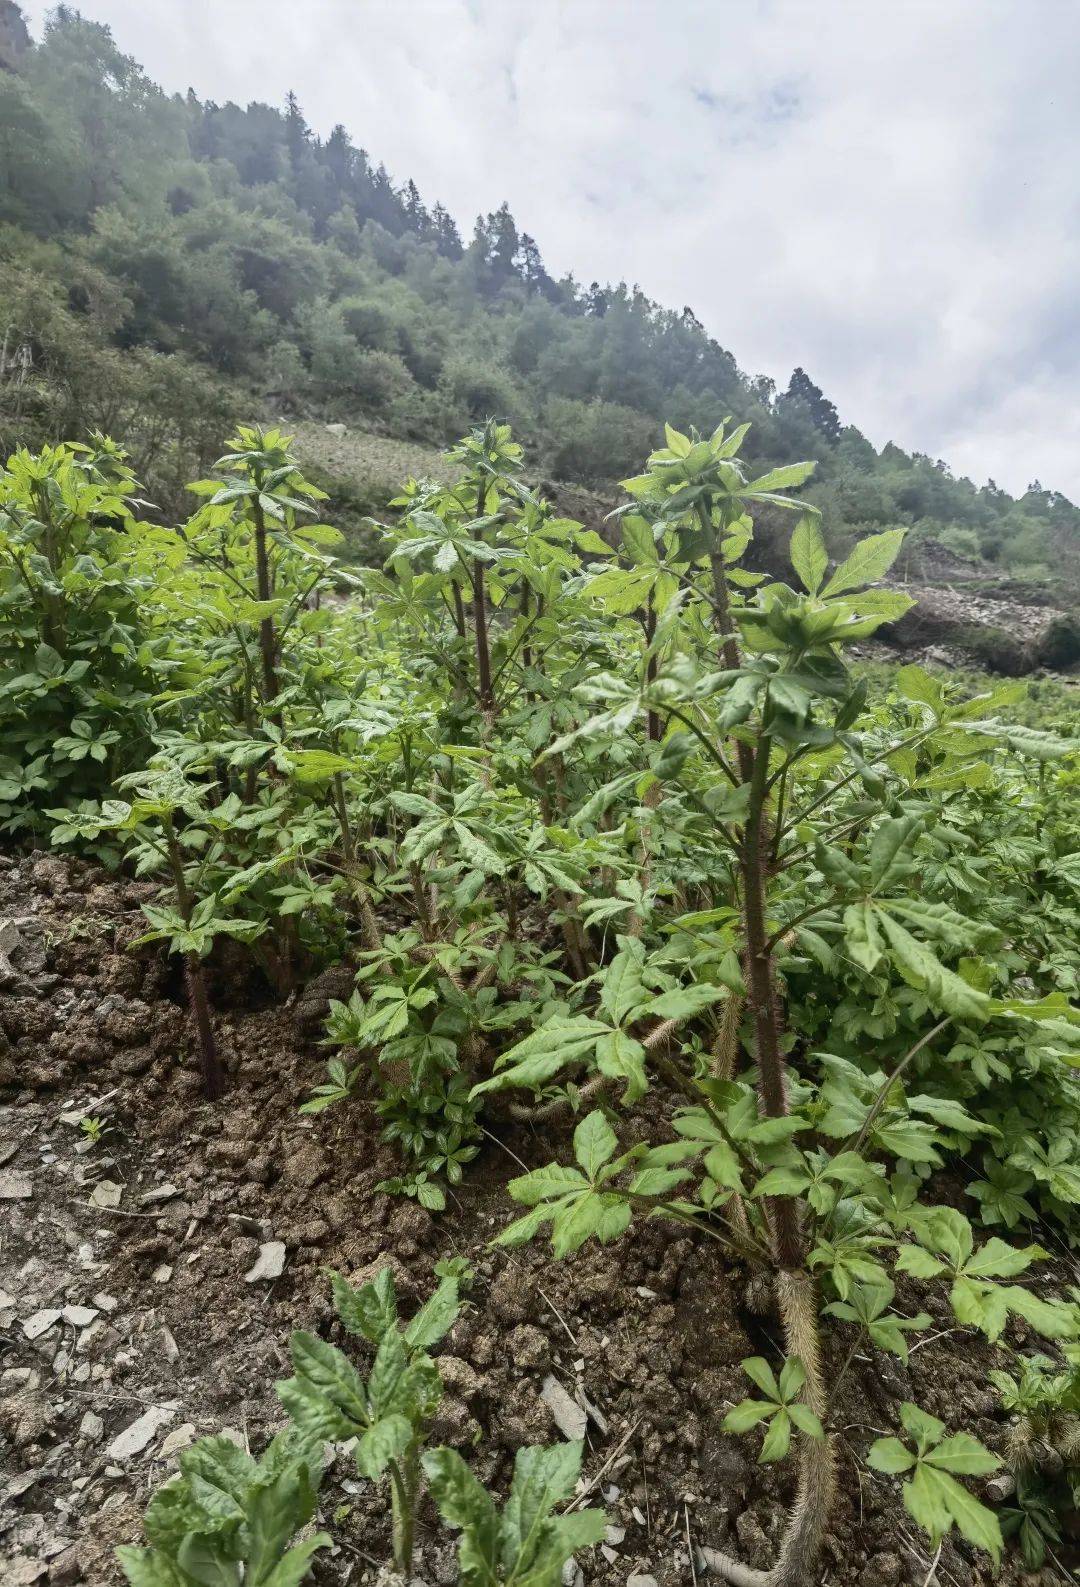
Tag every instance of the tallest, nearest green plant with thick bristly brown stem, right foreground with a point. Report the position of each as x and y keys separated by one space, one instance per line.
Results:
x=821 y=820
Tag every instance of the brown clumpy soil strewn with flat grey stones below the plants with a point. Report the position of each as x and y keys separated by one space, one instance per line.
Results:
x=150 y=1280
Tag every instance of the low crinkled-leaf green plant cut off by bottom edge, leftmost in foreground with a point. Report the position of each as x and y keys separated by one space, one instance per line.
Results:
x=229 y=1520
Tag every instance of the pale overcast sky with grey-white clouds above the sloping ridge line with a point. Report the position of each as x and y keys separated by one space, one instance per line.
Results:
x=886 y=194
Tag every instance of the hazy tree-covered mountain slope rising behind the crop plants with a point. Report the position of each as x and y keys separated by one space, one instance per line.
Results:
x=167 y=264
